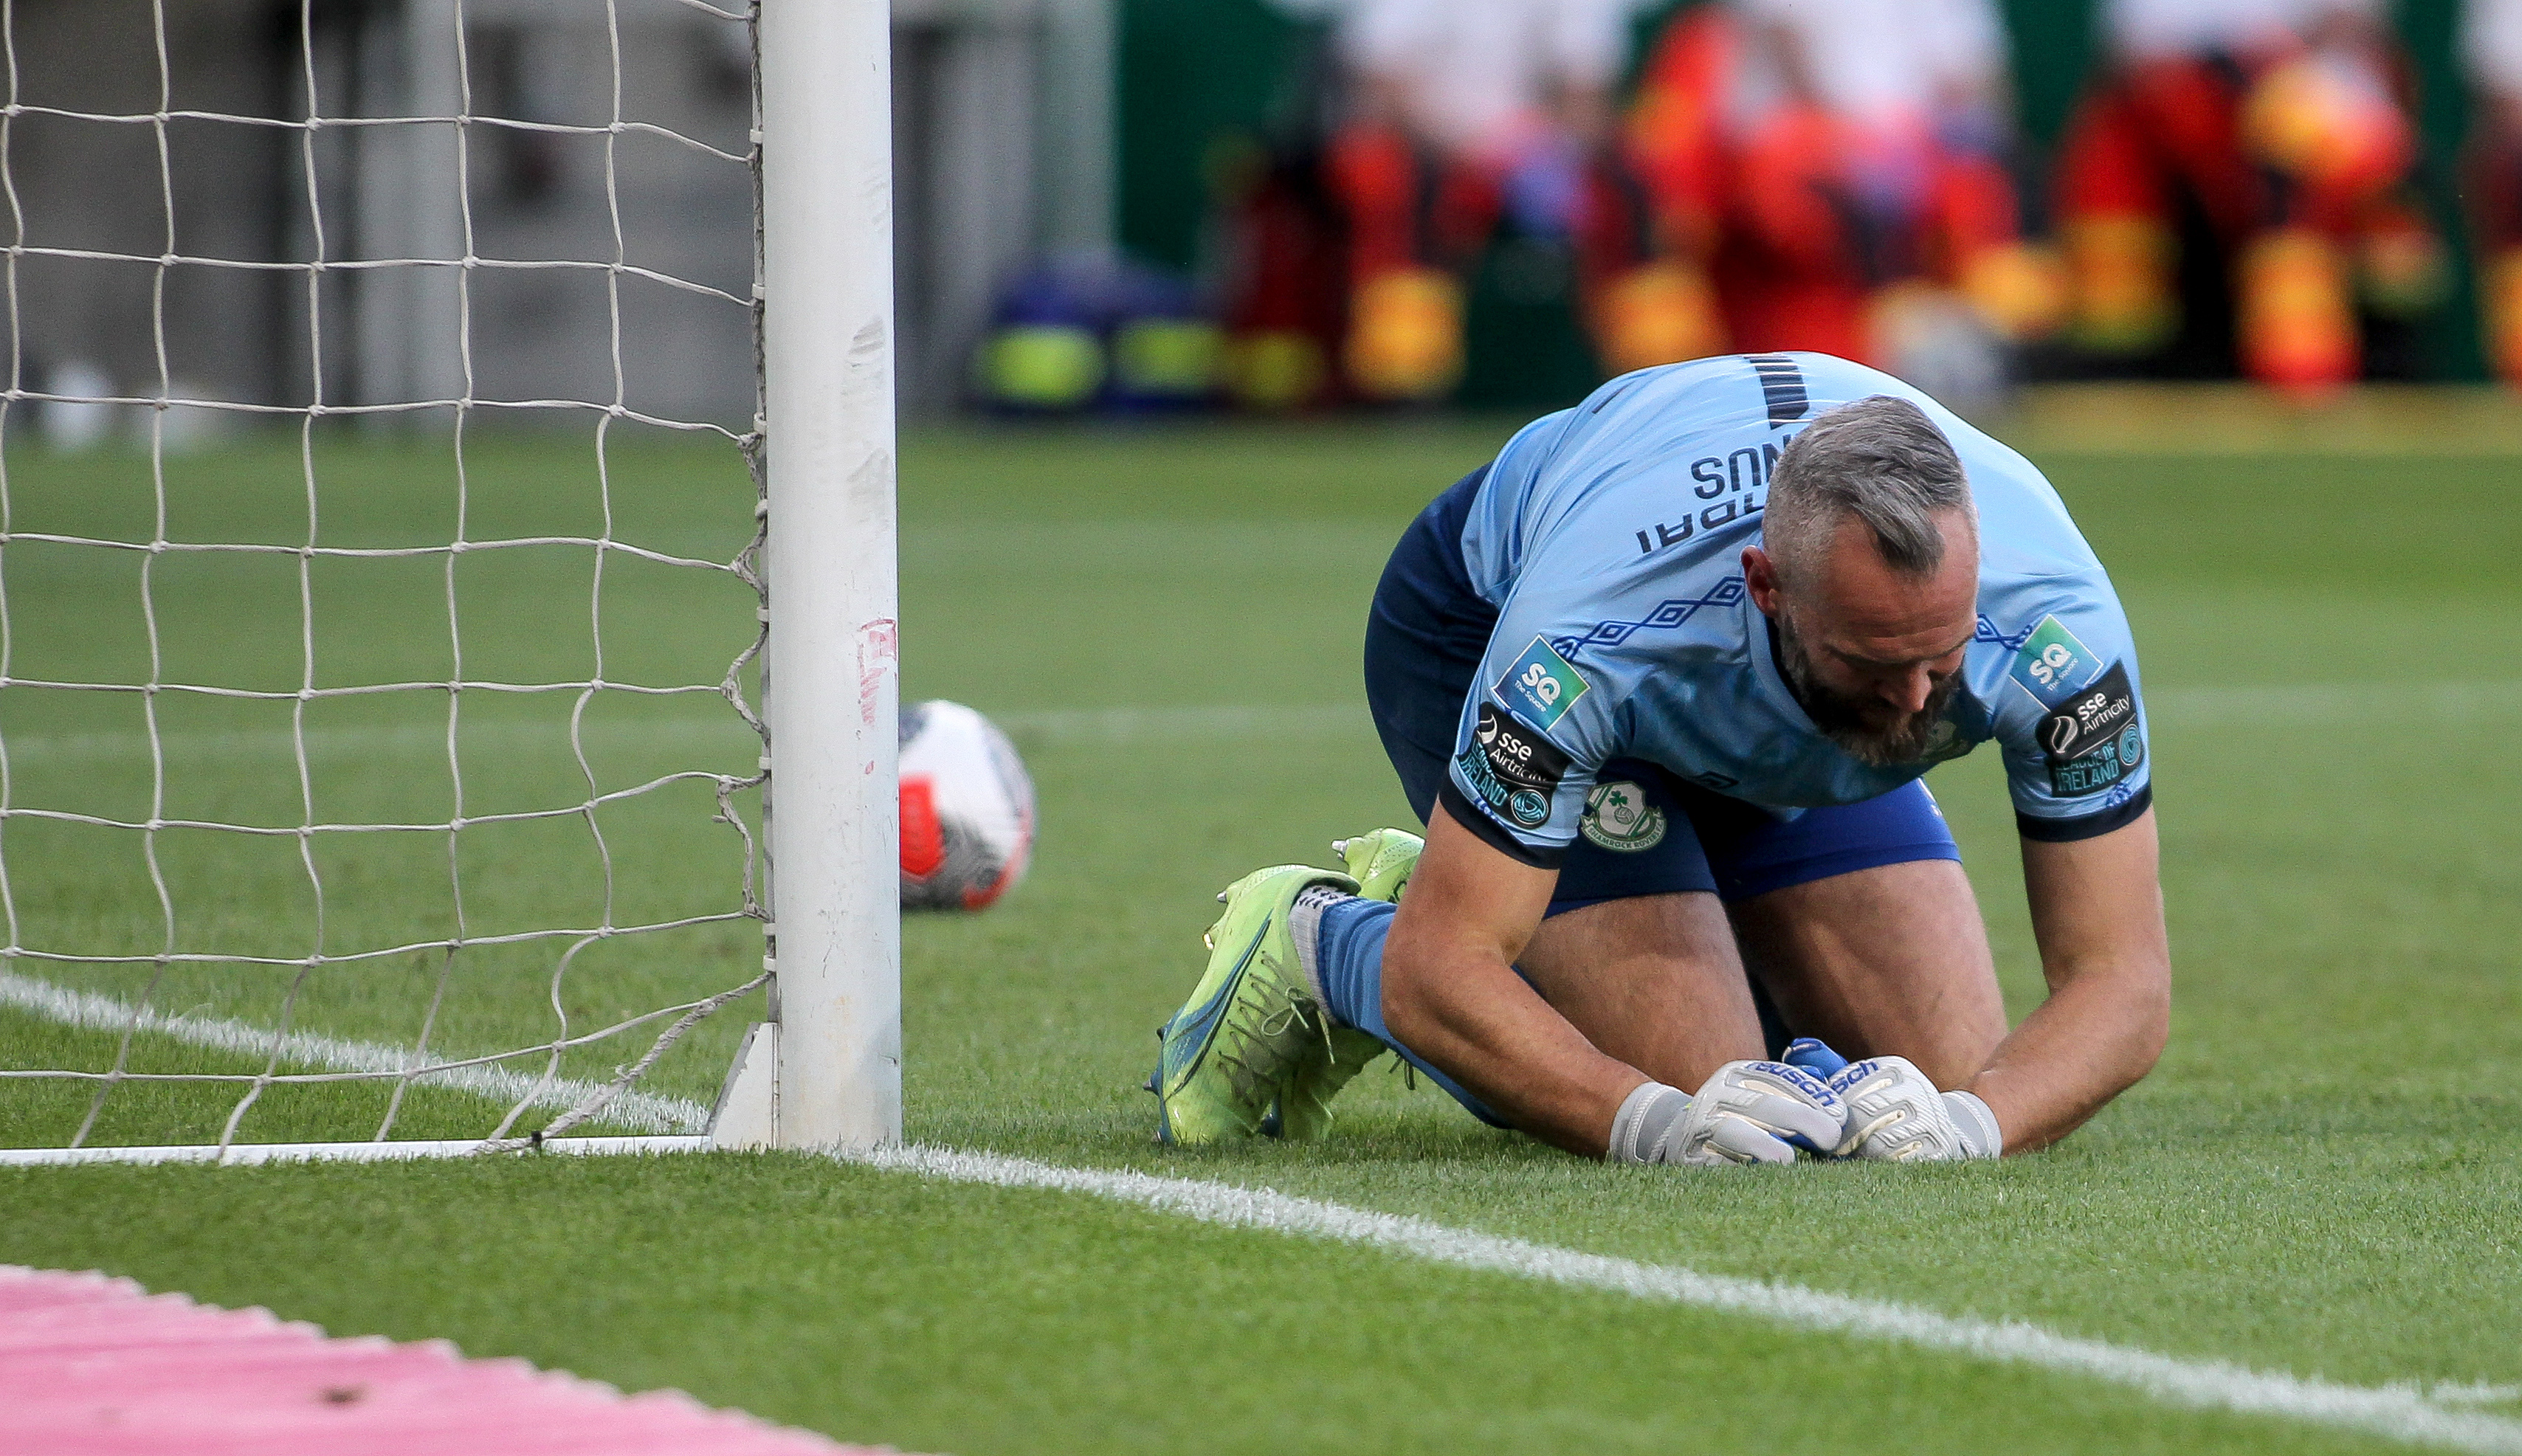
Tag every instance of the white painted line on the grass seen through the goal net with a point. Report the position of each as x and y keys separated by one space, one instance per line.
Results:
x=92 y=1013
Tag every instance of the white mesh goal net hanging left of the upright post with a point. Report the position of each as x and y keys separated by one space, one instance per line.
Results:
x=211 y=655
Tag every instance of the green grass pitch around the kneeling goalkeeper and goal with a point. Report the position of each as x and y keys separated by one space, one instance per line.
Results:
x=2324 y=1175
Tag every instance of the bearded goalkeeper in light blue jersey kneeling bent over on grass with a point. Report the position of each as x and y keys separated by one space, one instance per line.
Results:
x=1663 y=680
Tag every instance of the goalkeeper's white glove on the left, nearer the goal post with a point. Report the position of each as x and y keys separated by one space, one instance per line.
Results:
x=1744 y=1114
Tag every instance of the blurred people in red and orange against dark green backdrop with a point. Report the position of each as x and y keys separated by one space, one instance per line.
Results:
x=1504 y=201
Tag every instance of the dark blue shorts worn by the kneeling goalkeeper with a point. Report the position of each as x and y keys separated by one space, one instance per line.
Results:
x=1426 y=635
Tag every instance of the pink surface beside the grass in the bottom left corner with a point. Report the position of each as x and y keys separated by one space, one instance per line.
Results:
x=95 y=1366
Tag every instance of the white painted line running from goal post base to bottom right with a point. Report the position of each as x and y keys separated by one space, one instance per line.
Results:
x=2395 y=1412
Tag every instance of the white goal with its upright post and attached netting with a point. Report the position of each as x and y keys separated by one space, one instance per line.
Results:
x=818 y=874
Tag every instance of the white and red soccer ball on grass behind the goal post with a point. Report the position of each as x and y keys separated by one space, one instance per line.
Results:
x=967 y=809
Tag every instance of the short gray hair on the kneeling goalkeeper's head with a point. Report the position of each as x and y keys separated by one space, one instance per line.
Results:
x=1878 y=461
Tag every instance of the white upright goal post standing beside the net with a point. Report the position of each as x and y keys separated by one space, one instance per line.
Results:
x=834 y=655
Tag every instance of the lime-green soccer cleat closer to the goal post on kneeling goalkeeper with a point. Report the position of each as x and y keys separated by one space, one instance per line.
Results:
x=1250 y=1026
